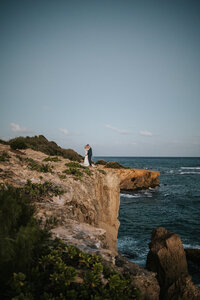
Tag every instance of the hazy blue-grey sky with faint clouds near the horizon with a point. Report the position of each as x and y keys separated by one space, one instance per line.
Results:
x=123 y=76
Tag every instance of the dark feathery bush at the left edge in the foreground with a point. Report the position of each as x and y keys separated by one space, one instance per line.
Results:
x=21 y=237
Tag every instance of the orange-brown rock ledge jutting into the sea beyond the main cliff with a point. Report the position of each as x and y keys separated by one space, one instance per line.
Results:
x=137 y=179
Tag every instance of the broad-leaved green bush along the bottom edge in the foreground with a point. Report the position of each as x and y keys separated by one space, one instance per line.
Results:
x=55 y=275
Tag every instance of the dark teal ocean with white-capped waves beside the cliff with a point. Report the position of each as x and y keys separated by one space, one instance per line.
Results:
x=175 y=205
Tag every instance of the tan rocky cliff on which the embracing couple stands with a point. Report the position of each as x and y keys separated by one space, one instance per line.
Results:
x=83 y=201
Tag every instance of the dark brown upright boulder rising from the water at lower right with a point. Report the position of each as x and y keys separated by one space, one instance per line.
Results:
x=167 y=258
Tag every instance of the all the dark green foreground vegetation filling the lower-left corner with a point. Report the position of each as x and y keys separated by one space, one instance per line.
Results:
x=35 y=267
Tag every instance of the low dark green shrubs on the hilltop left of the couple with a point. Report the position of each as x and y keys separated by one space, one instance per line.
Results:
x=40 y=143
